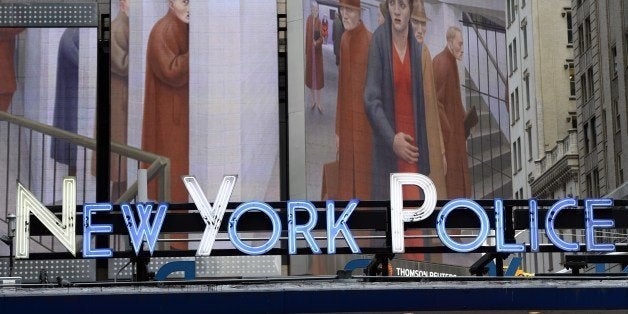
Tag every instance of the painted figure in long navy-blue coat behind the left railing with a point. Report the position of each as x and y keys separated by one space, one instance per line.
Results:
x=66 y=98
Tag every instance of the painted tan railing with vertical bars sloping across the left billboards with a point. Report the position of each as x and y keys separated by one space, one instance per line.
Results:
x=158 y=166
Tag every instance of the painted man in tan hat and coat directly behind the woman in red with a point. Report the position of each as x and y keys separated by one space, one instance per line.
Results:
x=438 y=164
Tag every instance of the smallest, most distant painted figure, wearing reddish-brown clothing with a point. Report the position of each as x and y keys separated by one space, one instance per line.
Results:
x=314 y=77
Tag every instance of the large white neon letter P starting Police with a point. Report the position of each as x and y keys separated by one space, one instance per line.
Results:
x=399 y=215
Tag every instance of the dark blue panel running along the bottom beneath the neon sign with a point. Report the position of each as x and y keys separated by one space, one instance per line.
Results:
x=372 y=299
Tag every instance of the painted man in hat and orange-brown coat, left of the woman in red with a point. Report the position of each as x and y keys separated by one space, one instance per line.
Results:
x=353 y=131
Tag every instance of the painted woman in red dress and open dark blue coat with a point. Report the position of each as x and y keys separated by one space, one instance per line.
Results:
x=394 y=102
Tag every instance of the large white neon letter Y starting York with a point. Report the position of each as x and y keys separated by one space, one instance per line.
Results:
x=211 y=215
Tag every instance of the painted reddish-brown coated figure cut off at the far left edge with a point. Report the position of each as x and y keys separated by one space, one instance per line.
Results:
x=8 y=85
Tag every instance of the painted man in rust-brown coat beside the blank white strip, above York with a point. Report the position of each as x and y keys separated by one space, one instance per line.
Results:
x=166 y=108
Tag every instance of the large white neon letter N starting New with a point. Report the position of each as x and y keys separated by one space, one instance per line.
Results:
x=62 y=229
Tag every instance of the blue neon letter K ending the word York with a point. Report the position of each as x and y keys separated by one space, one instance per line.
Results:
x=333 y=228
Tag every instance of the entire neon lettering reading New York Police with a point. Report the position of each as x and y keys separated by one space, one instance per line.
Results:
x=150 y=218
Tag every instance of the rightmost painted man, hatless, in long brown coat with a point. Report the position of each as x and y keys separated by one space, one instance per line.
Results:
x=452 y=122
